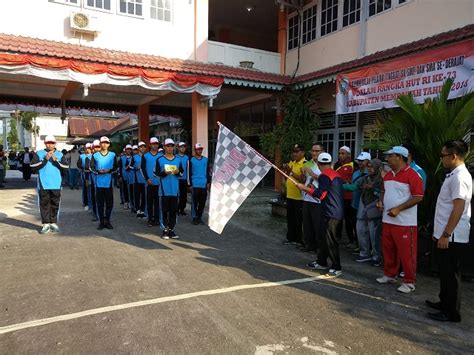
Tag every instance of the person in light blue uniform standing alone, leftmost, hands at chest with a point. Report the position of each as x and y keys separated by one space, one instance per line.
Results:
x=49 y=163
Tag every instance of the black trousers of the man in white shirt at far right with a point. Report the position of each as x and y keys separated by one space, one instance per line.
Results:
x=450 y=279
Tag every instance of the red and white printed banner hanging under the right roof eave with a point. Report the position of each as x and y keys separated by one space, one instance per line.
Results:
x=422 y=75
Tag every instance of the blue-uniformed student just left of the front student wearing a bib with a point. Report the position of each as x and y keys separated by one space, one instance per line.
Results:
x=148 y=165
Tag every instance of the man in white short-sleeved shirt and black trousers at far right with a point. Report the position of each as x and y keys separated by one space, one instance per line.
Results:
x=451 y=230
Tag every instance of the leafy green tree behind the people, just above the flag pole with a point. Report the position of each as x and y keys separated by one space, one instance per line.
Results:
x=299 y=125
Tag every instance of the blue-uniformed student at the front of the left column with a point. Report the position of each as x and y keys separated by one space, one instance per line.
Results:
x=103 y=165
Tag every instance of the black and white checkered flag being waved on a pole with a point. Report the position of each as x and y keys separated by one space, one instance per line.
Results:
x=238 y=168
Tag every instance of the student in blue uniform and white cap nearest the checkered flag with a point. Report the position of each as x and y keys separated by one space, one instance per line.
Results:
x=198 y=182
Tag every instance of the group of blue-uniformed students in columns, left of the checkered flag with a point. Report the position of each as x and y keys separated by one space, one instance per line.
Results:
x=153 y=182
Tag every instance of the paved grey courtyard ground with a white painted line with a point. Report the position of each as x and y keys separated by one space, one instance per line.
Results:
x=141 y=294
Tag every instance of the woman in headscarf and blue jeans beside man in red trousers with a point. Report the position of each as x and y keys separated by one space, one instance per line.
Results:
x=369 y=217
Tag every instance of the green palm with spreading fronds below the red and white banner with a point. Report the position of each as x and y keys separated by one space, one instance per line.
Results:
x=427 y=127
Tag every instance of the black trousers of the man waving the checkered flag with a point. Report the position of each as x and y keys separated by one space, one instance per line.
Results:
x=329 y=243
